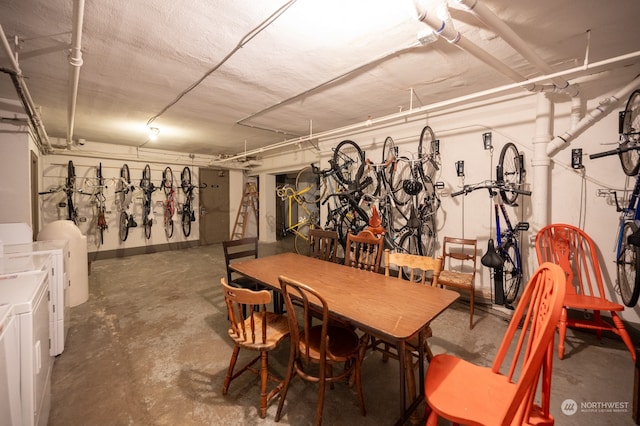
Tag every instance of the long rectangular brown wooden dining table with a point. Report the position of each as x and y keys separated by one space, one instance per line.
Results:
x=383 y=306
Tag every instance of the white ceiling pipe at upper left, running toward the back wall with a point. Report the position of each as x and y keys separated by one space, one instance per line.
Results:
x=75 y=62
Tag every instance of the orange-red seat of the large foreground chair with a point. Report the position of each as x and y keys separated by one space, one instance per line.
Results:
x=486 y=398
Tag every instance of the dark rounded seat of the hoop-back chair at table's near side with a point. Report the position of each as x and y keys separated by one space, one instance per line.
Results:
x=342 y=343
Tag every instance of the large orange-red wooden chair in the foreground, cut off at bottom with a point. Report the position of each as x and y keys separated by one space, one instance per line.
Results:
x=504 y=393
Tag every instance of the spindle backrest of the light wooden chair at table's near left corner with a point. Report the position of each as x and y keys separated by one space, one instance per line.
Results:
x=241 y=300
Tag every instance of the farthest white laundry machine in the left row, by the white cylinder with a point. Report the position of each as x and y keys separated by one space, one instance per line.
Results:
x=59 y=287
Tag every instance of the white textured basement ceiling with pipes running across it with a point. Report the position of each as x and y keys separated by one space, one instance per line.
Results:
x=367 y=55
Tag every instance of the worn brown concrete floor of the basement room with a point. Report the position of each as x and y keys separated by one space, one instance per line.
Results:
x=150 y=348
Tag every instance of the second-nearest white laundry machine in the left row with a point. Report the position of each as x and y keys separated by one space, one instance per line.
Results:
x=27 y=294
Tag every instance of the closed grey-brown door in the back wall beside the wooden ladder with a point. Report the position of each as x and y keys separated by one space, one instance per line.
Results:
x=214 y=206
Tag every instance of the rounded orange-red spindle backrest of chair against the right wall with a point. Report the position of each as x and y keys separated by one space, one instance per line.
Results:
x=575 y=252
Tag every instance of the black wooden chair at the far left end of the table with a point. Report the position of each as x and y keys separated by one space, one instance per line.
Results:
x=245 y=249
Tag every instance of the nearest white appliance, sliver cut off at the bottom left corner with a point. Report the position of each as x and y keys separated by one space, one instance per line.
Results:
x=10 y=407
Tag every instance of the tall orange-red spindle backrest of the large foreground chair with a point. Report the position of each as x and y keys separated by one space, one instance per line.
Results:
x=529 y=335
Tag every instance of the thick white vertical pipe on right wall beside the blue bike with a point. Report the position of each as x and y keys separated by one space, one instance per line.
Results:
x=541 y=162
